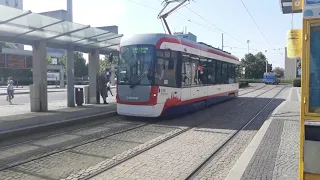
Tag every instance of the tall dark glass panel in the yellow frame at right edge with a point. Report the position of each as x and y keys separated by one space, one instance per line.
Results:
x=314 y=81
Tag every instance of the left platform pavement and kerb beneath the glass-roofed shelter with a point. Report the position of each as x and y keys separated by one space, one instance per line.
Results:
x=17 y=119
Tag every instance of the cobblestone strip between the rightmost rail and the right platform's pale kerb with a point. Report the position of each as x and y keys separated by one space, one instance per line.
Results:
x=223 y=162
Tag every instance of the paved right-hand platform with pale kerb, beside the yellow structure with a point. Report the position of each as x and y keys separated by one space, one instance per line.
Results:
x=274 y=151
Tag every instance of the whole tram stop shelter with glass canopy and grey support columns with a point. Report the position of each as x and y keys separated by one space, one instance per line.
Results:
x=40 y=32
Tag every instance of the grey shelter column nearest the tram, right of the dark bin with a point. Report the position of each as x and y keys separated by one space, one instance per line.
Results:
x=93 y=73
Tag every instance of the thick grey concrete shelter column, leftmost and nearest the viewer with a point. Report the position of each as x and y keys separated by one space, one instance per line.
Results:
x=38 y=91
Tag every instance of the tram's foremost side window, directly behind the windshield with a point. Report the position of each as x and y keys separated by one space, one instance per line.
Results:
x=165 y=72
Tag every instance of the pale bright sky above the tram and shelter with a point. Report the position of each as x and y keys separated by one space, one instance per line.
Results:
x=207 y=19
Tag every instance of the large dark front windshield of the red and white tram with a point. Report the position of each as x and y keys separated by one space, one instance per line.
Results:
x=135 y=65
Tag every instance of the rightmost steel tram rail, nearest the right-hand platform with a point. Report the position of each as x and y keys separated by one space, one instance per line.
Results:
x=205 y=163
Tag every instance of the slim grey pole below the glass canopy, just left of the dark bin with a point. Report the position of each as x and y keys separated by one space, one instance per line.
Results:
x=70 y=78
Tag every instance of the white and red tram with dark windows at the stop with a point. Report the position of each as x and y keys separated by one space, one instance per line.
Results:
x=161 y=74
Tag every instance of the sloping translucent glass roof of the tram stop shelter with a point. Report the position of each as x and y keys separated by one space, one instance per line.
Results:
x=25 y=27
